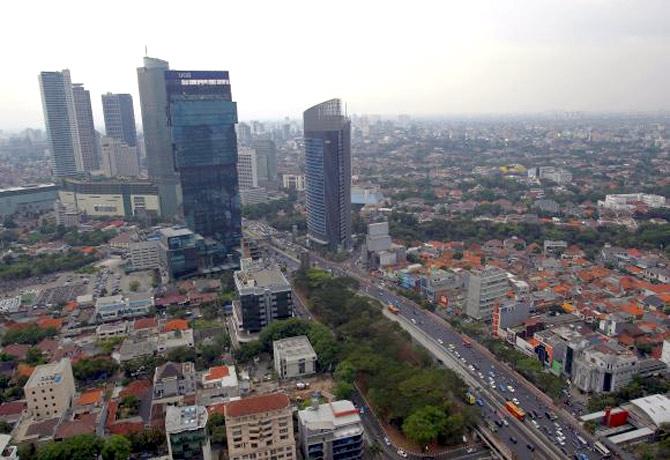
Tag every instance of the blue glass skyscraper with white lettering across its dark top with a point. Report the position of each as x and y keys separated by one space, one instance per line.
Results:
x=202 y=118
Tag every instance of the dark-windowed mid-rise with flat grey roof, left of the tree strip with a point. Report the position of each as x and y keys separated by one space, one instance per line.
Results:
x=265 y=295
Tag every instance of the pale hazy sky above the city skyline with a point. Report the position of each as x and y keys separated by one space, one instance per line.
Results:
x=381 y=56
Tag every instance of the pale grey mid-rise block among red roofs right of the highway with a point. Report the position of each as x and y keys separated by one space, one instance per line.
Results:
x=486 y=289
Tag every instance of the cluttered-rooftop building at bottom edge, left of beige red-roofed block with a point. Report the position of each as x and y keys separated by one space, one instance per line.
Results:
x=186 y=431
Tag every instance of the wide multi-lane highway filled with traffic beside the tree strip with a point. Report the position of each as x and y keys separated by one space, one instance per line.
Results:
x=546 y=432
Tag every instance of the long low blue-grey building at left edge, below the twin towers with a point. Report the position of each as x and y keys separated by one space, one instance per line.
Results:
x=31 y=199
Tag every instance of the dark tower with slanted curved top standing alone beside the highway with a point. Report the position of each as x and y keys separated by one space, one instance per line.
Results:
x=328 y=174
